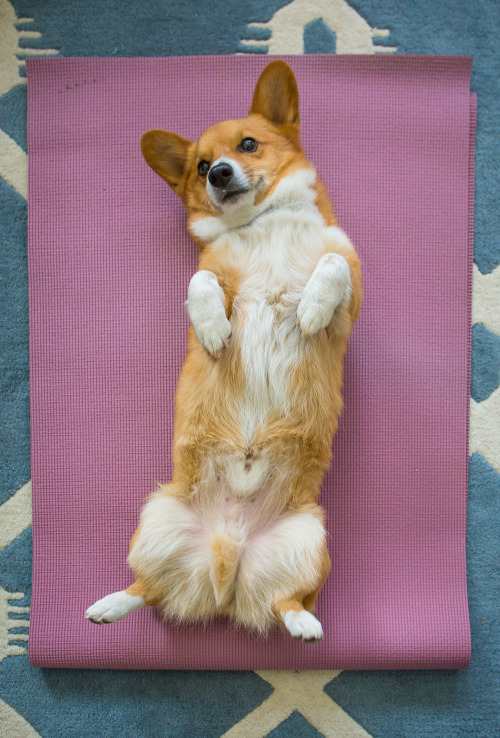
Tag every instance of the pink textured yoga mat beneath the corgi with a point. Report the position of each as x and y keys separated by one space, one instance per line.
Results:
x=109 y=266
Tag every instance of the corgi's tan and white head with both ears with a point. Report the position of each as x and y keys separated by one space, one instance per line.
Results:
x=236 y=164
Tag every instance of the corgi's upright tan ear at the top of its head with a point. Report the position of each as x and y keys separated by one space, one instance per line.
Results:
x=276 y=95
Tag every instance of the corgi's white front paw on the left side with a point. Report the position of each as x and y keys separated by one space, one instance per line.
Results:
x=206 y=307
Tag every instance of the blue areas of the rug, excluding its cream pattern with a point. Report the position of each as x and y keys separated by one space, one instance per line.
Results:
x=61 y=703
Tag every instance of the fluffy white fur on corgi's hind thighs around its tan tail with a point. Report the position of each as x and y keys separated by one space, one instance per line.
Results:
x=175 y=550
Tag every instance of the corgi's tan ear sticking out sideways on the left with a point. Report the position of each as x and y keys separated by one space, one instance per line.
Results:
x=167 y=154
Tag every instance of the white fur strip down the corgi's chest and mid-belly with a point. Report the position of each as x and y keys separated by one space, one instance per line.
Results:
x=275 y=257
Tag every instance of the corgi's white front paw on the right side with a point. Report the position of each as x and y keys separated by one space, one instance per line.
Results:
x=328 y=287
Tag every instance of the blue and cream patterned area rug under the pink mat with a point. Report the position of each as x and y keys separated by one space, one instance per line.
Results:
x=57 y=703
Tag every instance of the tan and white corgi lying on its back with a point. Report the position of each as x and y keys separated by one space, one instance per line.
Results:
x=238 y=532
